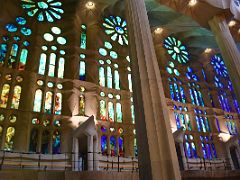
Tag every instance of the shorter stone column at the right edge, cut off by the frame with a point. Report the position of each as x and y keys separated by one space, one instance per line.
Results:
x=229 y=51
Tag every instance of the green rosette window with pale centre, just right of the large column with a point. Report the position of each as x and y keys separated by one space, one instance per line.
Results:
x=176 y=49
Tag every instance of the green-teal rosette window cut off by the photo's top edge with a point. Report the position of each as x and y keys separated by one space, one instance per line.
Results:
x=45 y=10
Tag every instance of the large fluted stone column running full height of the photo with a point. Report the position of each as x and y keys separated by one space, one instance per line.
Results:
x=157 y=153
